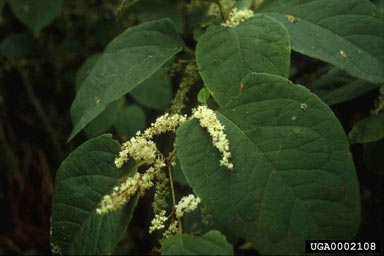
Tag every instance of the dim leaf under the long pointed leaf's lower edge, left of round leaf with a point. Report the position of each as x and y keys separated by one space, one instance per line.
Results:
x=105 y=120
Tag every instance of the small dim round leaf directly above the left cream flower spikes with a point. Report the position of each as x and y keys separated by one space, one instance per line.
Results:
x=130 y=120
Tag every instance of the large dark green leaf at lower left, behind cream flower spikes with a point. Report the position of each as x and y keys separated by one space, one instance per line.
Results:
x=82 y=180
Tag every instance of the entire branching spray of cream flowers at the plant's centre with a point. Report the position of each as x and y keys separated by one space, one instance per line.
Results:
x=143 y=150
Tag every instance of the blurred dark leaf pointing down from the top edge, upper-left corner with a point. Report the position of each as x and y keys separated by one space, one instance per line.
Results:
x=36 y=14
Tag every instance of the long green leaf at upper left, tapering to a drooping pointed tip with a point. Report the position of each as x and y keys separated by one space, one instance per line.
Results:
x=128 y=60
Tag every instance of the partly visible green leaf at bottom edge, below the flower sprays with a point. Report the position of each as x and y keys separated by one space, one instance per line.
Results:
x=211 y=243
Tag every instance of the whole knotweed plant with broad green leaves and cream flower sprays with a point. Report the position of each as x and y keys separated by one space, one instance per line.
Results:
x=233 y=152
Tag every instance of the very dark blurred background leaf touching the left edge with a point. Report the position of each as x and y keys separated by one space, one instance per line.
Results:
x=17 y=45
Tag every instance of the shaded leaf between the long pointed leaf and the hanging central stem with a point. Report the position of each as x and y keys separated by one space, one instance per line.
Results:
x=155 y=92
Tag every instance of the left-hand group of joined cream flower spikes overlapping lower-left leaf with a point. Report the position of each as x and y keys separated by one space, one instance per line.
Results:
x=143 y=150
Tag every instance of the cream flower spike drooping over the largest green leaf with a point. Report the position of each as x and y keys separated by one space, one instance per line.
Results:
x=209 y=120
